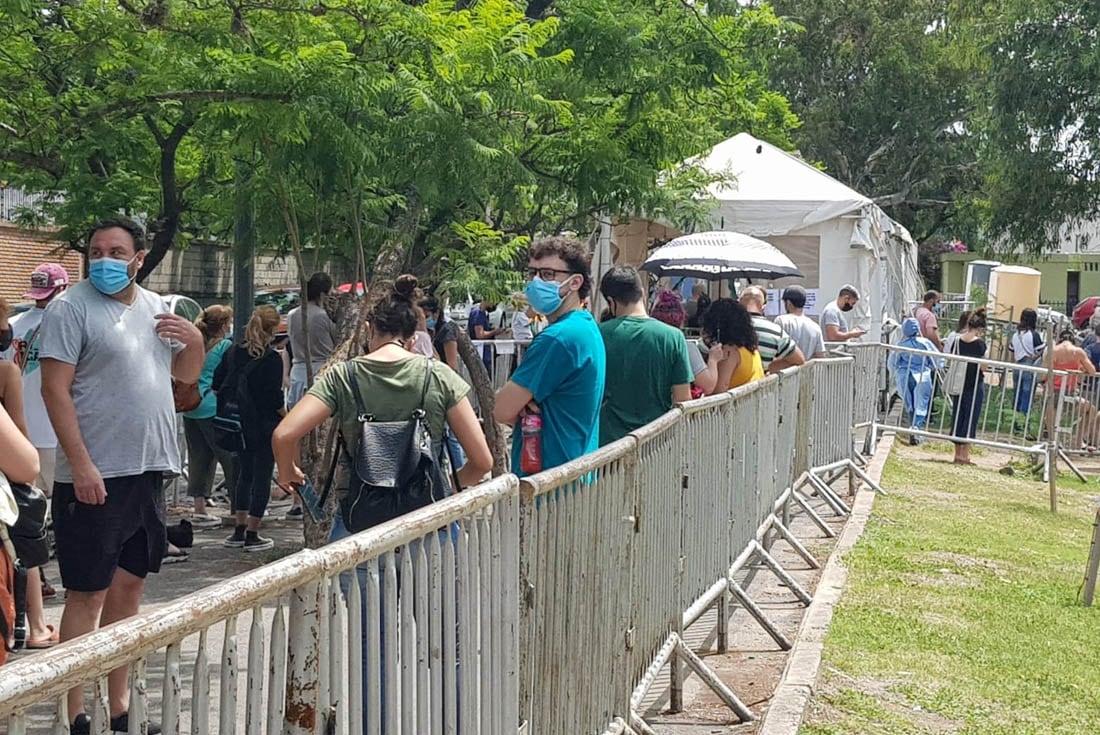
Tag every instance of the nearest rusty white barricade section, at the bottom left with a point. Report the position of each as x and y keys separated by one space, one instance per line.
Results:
x=422 y=640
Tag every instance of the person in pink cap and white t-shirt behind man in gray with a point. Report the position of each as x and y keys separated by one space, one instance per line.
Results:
x=48 y=281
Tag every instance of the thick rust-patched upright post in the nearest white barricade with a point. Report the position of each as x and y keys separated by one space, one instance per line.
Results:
x=303 y=661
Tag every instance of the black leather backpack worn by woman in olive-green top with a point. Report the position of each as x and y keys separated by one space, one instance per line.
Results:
x=393 y=468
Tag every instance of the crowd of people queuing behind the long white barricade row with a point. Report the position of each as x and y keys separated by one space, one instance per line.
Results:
x=100 y=370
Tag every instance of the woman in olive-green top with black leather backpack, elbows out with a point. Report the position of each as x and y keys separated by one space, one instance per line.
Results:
x=389 y=387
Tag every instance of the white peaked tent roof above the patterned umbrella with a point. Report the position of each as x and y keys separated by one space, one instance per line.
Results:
x=772 y=192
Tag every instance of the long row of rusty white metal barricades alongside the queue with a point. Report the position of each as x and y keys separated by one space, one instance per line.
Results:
x=546 y=606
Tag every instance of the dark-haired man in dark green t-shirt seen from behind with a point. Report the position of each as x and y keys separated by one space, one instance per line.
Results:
x=648 y=366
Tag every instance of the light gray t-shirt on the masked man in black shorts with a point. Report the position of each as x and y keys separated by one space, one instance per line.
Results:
x=123 y=385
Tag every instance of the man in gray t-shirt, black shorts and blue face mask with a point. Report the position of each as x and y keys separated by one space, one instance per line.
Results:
x=108 y=354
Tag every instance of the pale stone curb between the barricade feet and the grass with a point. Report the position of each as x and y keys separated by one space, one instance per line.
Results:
x=797 y=687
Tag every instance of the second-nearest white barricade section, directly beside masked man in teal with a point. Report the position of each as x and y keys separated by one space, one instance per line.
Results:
x=579 y=528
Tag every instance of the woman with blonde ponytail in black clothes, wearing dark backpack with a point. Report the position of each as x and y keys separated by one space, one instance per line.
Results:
x=249 y=383
